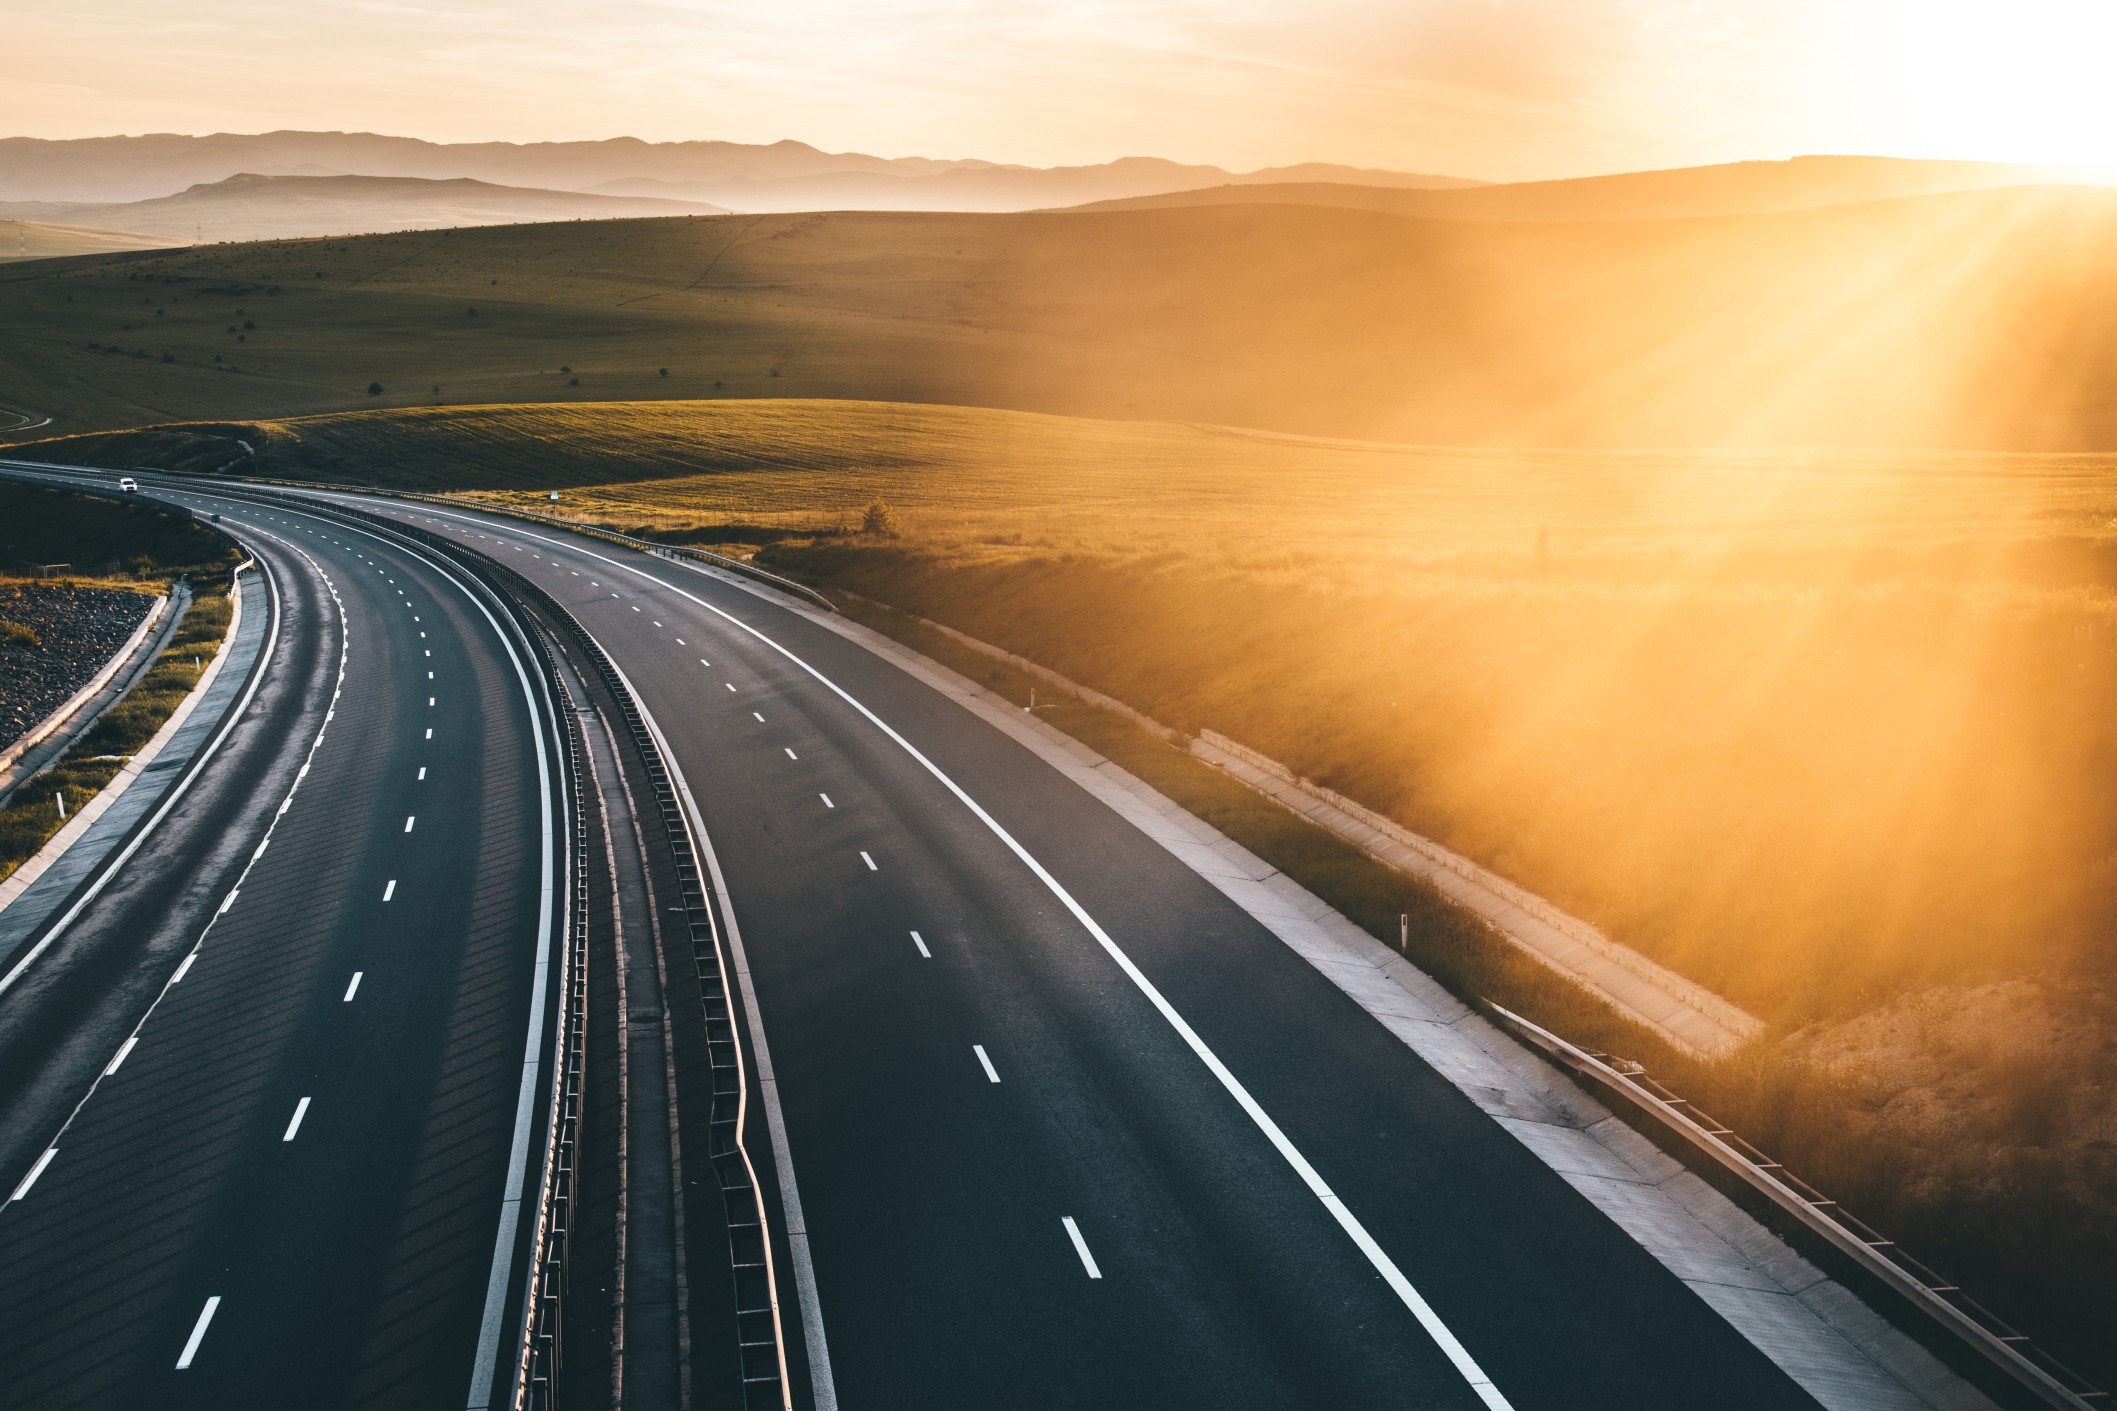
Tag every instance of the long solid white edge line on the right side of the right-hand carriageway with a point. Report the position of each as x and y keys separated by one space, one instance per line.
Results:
x=1347 y=1222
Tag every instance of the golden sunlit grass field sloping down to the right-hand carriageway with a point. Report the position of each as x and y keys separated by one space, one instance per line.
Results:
x=1824 y=731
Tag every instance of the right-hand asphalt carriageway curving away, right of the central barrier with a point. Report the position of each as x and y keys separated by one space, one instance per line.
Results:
x=1021 y=1184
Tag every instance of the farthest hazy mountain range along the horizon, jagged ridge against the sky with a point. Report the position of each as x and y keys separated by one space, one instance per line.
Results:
x=734 y=175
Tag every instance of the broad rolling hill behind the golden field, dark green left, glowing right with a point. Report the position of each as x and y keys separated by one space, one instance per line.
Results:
x=1976 y=320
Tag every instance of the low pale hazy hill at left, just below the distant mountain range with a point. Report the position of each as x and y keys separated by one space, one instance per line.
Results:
x=249 y=206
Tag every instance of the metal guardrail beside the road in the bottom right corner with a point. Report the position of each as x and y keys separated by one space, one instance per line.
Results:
x=1974 y=1327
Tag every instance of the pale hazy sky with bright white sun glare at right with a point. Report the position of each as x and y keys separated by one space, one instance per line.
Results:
x=1474 y=88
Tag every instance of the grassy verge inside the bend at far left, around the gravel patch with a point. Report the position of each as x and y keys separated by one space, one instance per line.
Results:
x=122 y=547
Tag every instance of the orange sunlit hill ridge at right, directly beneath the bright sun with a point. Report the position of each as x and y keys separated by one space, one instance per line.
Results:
x=1733 y=189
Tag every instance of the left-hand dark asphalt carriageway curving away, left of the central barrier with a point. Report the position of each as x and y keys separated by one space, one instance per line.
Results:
x=289 y=1173
